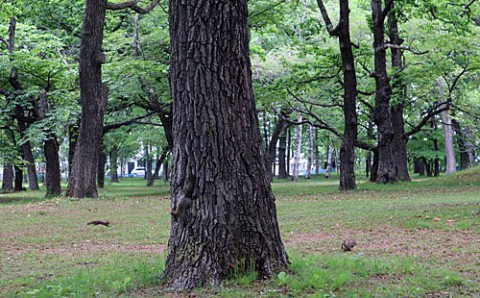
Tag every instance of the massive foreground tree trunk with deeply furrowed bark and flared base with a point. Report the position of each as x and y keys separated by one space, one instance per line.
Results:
x=225 y=216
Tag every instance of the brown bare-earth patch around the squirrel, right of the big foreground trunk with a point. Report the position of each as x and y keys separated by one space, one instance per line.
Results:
x=448 y=246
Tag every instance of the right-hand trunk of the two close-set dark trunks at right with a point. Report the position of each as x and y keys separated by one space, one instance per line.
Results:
x=399 y=141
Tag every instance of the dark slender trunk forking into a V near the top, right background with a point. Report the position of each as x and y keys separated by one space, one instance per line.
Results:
x=347 y=148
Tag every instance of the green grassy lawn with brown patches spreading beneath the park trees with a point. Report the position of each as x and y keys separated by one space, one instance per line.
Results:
x=417 y=239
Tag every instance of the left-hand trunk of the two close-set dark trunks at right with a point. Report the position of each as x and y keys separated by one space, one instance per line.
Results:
x=386 y=168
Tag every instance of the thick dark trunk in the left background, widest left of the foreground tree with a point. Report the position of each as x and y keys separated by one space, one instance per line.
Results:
x=93 y=98
